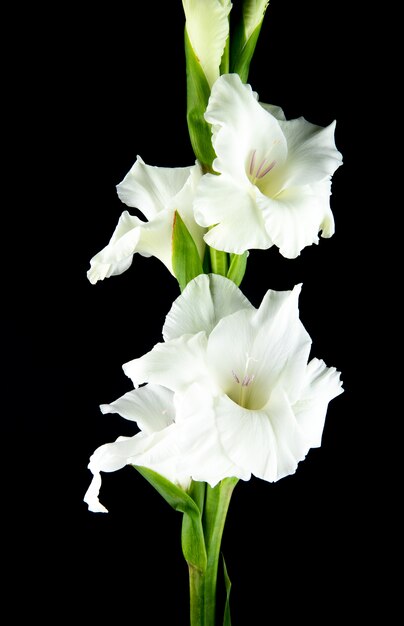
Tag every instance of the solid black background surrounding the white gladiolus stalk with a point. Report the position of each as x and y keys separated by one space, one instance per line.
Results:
x=96 y=88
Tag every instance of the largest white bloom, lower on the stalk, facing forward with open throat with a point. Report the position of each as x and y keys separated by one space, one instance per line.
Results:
x=247 y=399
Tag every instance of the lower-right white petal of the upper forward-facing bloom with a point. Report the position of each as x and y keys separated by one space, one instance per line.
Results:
x=294 y=218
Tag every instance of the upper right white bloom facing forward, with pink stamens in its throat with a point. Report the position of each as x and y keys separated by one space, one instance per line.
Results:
x=274 y=185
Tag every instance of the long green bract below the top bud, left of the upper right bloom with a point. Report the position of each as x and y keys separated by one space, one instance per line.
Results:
x=198 y=92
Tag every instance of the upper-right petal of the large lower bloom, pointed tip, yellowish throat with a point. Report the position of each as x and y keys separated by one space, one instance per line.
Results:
x=259 y=348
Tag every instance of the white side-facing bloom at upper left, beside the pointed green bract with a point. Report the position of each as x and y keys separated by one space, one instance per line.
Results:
x=157 y=192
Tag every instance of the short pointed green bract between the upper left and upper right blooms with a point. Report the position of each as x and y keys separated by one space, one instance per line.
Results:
x=185 y=257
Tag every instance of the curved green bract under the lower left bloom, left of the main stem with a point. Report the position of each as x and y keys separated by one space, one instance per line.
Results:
x=193 y=543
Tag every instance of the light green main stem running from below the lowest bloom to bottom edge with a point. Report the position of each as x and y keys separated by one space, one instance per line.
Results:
x=214 y=517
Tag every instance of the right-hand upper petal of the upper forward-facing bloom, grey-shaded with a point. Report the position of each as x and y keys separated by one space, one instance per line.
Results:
x=312 y=154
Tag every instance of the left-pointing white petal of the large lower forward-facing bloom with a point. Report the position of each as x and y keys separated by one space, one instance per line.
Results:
x=175 y=364
